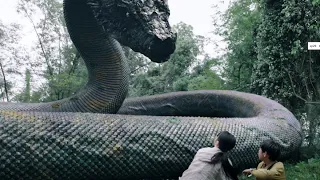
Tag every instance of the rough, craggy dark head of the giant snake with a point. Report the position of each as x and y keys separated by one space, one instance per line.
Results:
x=141 y=25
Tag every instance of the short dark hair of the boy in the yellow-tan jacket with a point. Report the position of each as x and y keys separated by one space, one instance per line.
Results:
x=272 y=149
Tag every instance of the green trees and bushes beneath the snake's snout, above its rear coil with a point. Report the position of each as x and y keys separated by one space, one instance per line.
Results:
x=177 y=74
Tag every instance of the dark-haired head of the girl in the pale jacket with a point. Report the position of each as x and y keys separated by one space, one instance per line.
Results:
x=225 y=141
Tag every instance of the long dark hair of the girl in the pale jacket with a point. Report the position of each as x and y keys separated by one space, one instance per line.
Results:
x=226 y=142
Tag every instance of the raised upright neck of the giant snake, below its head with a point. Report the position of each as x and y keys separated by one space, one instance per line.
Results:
x=107 y=68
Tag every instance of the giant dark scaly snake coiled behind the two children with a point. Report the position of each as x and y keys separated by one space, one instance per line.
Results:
x=98 y=134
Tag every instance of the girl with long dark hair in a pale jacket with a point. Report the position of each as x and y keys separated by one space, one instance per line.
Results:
x=213 y=163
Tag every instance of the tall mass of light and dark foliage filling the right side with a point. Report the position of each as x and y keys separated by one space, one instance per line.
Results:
x=268 y=55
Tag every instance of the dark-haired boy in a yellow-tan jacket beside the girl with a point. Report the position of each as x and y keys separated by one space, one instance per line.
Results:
x=269 y=167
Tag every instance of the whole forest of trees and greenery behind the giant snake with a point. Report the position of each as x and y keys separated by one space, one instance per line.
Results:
x=266 y=54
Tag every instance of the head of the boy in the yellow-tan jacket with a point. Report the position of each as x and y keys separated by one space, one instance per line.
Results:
x=269 y=149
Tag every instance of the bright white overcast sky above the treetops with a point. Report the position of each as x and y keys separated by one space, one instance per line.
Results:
x=195 y=13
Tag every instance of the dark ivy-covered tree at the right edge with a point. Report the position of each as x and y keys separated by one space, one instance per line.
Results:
x=286 y=70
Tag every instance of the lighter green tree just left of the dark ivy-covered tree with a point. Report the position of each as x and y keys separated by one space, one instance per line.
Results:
x=238 y=29
